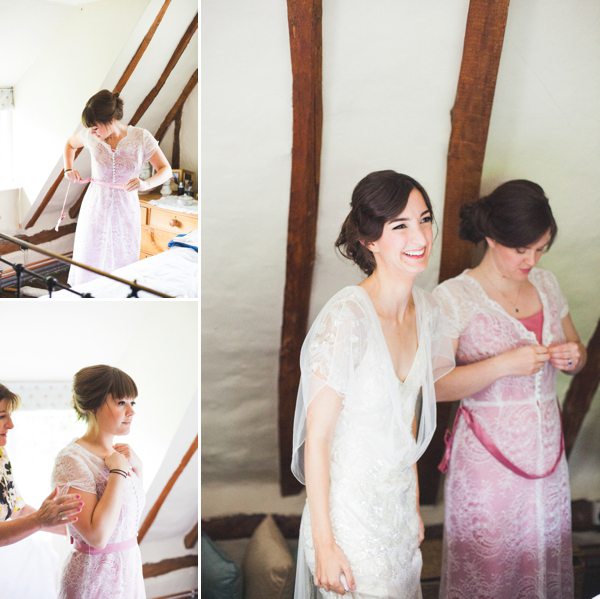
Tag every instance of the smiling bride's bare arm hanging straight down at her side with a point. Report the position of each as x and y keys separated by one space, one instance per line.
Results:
x=330 y=561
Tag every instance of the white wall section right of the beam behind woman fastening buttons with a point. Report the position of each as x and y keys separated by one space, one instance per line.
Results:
x=545 y=128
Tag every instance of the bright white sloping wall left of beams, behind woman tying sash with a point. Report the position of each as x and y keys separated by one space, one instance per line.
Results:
x=53 y=90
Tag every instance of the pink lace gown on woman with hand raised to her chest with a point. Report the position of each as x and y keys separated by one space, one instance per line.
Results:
x=116 y=575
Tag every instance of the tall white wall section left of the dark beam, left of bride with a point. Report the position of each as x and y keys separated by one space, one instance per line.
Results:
x=246 y=159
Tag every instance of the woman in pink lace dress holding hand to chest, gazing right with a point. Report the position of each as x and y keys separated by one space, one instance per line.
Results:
x=105 y=561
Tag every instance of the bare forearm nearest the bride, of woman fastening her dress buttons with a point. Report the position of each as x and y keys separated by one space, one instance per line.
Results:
x=463 y=381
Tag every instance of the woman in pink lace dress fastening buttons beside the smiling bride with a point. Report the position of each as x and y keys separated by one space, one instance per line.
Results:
x=507 y=522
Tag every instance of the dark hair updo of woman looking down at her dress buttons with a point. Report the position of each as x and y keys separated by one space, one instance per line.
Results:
x=516 y=214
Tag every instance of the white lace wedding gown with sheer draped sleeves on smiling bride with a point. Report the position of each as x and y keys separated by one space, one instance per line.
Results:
x=372 y=493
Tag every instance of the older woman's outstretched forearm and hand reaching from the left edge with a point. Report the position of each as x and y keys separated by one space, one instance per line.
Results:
x=53 y=513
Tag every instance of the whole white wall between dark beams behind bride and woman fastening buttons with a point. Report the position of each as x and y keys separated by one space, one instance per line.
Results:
x=390 y=71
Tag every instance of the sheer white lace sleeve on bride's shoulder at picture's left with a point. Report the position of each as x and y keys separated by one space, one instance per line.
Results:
x=330 y=353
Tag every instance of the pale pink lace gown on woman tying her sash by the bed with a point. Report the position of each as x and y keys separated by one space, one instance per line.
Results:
x=108 y=228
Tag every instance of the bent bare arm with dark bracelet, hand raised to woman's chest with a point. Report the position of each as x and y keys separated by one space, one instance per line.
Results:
x=99 y=517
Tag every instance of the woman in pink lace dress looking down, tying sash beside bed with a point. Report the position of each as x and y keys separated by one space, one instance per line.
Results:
x=108 y=232
